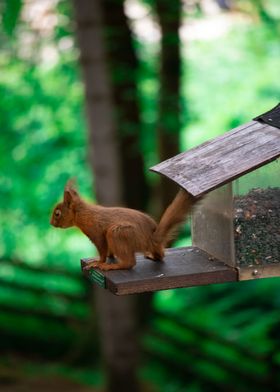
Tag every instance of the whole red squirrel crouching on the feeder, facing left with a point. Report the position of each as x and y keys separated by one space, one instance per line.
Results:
x=121 y=232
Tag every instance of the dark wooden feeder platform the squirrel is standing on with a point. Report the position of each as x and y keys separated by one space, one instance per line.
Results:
x=182 y=267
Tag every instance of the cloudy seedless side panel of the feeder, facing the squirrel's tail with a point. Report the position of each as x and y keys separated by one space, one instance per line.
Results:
x=212 y=225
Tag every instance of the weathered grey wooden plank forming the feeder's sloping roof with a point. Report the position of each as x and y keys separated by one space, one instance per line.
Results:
x=222 y=159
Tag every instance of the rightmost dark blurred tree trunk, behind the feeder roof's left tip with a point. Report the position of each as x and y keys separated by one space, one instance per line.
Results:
x=169 y=15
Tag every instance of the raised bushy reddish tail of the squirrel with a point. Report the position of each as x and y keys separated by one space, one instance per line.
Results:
x=173 y=216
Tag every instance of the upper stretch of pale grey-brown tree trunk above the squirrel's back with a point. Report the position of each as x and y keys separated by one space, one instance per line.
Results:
x=103 y=152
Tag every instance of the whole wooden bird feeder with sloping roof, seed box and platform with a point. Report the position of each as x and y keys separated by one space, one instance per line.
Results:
x=235 y=227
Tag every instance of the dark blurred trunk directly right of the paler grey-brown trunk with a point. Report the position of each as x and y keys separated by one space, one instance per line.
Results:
x=124 y=68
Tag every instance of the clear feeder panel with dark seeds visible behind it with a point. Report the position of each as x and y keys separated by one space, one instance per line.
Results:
x=256 y=208
